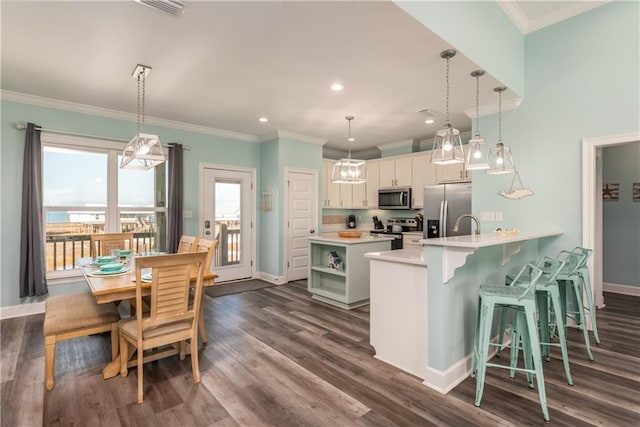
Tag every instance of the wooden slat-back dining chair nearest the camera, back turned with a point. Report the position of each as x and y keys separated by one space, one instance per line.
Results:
x=171 y=319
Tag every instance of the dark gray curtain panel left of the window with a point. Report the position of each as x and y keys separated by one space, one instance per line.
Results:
x=33 y=280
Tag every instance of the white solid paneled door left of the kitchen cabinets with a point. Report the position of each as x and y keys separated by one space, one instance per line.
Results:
x=302 y=221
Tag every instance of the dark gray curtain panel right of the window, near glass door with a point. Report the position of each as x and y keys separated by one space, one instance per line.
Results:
x=176 y=194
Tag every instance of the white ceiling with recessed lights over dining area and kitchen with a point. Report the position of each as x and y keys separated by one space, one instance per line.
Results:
x=221 y=65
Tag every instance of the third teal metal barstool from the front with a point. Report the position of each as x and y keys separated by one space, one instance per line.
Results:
x=576 y=273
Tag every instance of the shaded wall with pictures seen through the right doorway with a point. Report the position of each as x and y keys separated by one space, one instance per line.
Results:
x=621 y=218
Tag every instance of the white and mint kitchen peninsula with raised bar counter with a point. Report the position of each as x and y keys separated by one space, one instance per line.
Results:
x=424 y=301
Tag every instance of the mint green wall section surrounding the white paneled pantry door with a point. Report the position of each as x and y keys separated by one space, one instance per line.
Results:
x=277 y=155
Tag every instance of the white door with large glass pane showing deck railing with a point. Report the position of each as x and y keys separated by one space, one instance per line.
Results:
x=227 y=215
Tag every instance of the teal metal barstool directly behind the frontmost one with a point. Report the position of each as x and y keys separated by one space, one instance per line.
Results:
x=546 y=289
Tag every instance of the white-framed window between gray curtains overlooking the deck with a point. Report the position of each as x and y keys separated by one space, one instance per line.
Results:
x=85 y=192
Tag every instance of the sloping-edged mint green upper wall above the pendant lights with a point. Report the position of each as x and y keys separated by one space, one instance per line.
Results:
x=481 y=31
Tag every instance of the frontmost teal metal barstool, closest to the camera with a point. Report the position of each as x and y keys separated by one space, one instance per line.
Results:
x=519 y=294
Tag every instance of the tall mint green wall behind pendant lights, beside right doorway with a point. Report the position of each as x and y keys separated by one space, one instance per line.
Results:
x=581 y=81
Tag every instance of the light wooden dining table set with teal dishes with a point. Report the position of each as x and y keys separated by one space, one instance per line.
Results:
x=107 y=288
